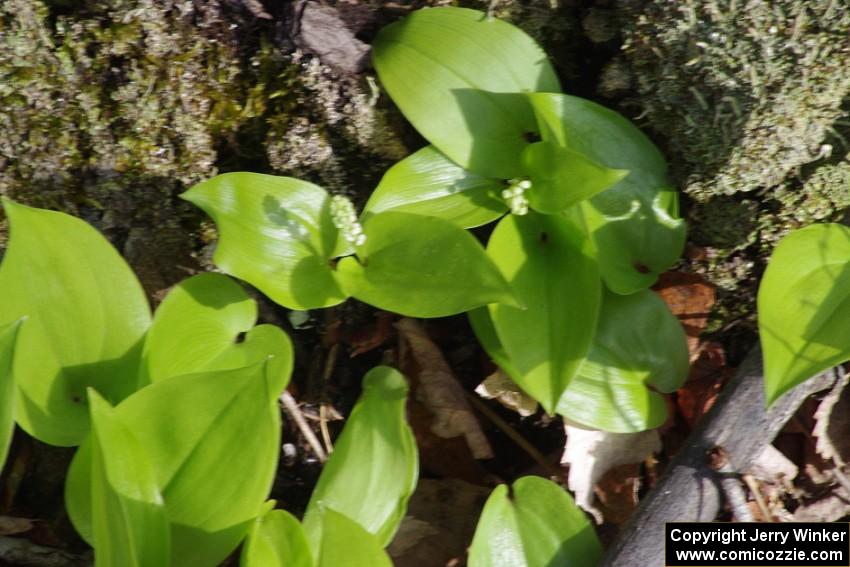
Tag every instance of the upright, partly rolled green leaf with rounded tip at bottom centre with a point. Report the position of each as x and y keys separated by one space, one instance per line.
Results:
x=373 y=469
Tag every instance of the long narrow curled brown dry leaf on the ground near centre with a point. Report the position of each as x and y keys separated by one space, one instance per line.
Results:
x=441 y=393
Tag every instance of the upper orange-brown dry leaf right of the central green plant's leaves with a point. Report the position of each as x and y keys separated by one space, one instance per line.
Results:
x=690 y=298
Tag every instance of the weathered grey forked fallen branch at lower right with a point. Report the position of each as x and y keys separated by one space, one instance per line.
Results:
x=690 y=489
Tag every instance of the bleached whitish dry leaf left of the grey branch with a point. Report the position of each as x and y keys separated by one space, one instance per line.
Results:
x=591 y=453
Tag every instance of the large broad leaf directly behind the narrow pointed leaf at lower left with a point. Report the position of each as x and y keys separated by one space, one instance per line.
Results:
x=213 y=440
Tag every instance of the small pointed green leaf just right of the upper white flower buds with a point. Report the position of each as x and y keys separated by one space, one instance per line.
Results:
x=561 y=177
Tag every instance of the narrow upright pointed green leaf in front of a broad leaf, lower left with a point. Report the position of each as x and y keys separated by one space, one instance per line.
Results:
x=130 y=524
